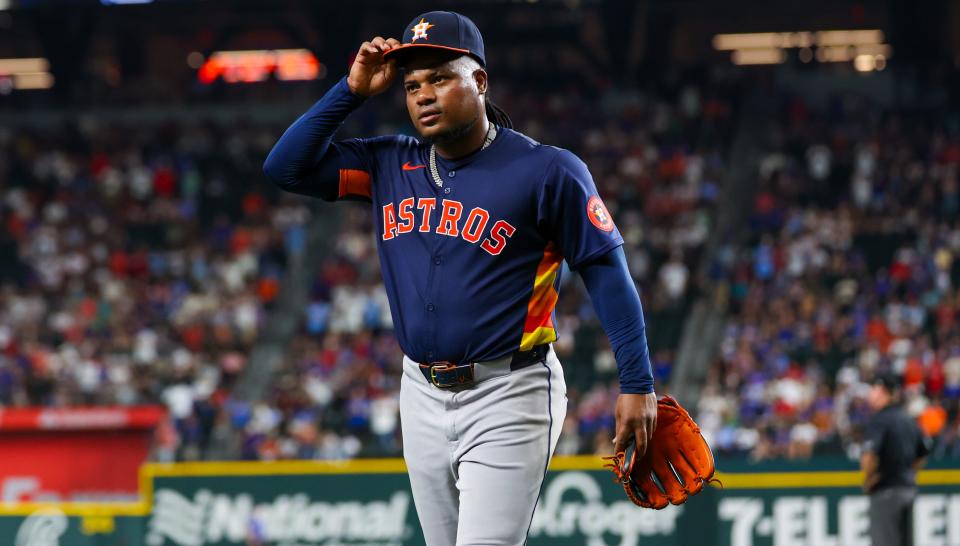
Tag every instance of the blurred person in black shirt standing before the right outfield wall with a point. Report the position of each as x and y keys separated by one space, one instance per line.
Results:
x=894 y=450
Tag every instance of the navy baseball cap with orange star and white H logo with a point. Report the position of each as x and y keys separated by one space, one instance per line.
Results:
x=444 y=30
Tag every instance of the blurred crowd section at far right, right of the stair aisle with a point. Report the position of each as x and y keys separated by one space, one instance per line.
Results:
x=851 y=267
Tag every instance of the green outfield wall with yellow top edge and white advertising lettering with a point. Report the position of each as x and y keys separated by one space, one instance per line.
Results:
x=368 y=503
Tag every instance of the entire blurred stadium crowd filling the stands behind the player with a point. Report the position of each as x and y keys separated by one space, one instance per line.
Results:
x=138 y=265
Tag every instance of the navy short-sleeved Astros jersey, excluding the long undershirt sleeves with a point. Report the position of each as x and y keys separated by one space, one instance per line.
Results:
x=472 y=268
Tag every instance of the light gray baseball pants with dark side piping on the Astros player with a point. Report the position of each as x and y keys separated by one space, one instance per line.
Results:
x=477 y=456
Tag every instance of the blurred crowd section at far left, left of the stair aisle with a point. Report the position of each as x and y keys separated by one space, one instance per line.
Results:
x=136 y=267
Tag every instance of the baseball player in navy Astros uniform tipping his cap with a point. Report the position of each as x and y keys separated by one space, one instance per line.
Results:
x=472 y=221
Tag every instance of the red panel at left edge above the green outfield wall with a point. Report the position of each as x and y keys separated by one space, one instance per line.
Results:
x=74 y=454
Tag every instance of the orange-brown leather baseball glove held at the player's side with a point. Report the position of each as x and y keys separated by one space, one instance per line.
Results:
x=677 y=464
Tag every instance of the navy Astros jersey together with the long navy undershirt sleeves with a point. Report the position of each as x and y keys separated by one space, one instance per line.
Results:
x=472 y=266
